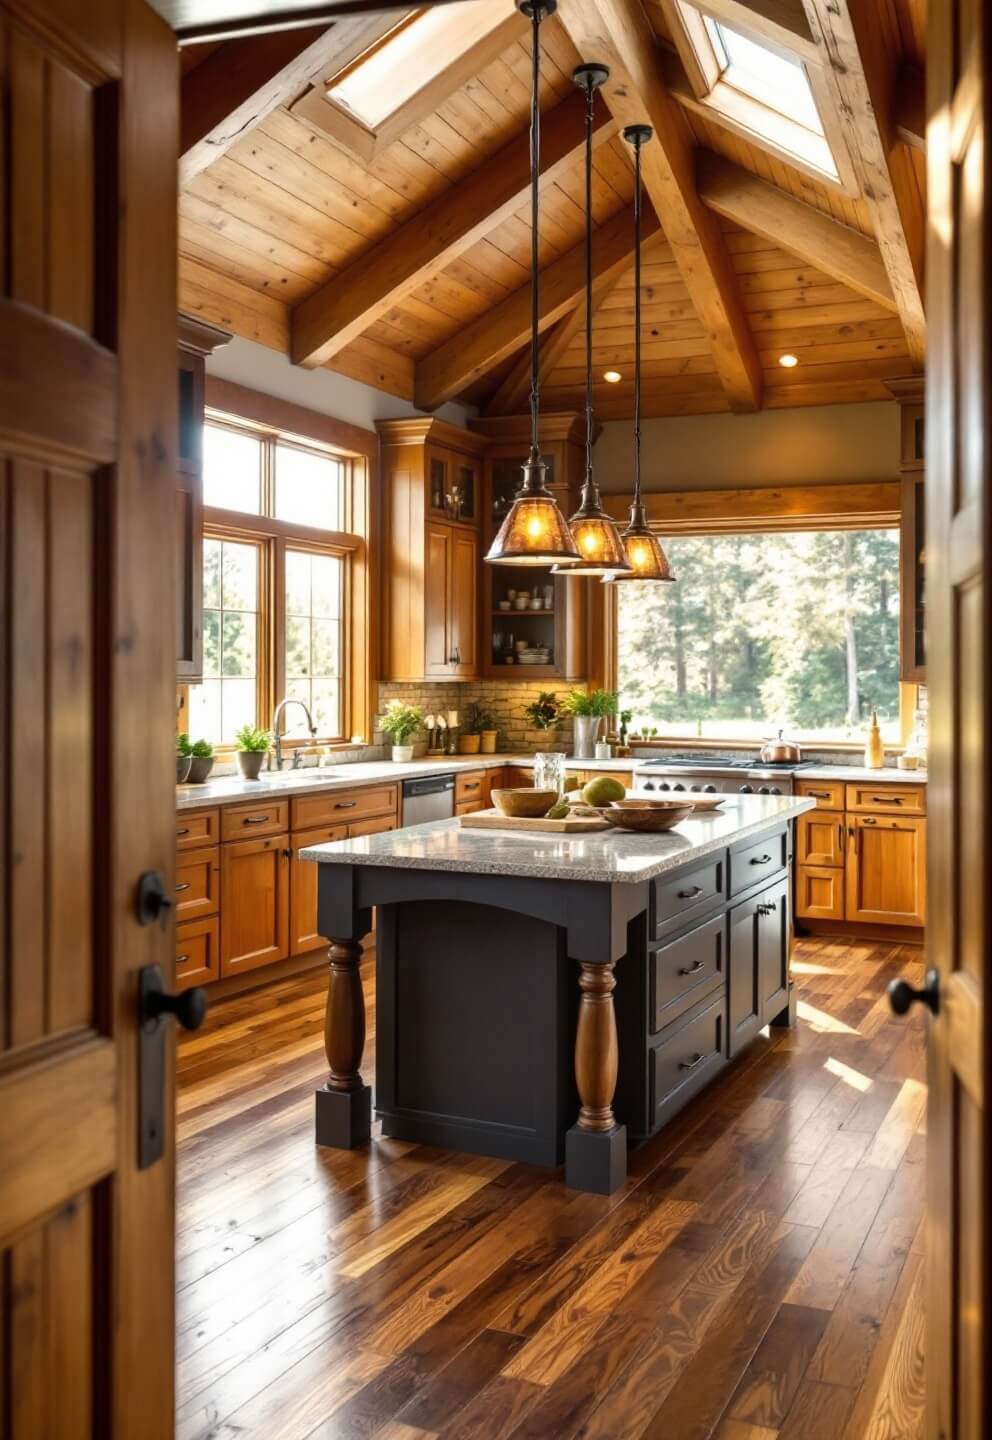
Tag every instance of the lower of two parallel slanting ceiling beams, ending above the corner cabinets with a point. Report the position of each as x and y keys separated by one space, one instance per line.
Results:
x=500 y=332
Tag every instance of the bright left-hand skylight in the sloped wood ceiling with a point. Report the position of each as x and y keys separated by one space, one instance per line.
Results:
x=388 y=77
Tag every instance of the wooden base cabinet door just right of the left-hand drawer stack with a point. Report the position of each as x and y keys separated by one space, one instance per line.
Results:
x=254 y=904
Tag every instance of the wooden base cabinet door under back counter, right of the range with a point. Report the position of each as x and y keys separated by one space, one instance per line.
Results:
x=886 y=872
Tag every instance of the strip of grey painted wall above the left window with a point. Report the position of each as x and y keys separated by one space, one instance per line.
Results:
x=323 y=391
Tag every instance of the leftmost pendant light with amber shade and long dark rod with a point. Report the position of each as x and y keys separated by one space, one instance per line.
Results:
x=535 y=531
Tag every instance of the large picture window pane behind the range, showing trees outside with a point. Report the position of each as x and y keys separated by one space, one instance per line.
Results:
x=765 y=631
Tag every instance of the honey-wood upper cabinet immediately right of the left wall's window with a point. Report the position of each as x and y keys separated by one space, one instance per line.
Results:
x=433 y=492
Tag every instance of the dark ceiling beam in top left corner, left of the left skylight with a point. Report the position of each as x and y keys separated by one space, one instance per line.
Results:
x=245 y=80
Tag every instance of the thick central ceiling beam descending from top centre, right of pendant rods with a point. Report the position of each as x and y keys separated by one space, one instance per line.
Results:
x=618 y=34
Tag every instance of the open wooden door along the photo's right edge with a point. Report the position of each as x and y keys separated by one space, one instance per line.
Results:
x=960 y=629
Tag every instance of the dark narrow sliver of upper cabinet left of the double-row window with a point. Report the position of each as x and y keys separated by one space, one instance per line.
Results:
x=197 y=342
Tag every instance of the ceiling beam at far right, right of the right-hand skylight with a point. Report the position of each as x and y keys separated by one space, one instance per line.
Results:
x=860 y=45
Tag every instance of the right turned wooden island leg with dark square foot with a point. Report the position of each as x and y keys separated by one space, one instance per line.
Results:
x=595 y=1148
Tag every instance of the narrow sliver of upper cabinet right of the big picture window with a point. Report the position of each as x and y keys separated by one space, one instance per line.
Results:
x=912 y=649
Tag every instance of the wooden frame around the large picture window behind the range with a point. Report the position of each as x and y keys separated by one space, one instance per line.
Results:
x=867 y=506
